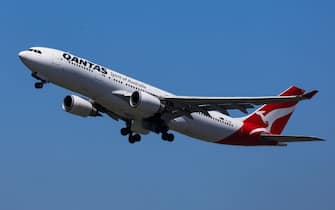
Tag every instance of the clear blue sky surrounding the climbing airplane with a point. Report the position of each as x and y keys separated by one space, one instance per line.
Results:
x=52 y=160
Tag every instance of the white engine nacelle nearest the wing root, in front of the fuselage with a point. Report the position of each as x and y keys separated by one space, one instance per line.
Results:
x=144 y=104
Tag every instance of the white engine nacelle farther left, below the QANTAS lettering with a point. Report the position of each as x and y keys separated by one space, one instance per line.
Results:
x=79 y=106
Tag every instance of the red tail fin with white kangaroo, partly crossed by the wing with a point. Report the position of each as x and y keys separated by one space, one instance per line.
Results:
x=272 y=118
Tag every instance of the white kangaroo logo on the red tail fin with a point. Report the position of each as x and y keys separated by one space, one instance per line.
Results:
x=271 y=117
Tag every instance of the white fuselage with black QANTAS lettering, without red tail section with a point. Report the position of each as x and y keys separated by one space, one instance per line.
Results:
x=98 y=83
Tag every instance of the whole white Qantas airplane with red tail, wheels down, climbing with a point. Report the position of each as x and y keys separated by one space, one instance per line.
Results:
x=145 y=108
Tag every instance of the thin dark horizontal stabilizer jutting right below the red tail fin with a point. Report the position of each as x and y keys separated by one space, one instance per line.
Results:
x=280 y=138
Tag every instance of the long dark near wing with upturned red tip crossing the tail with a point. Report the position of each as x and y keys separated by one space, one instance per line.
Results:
x=185 y=104
